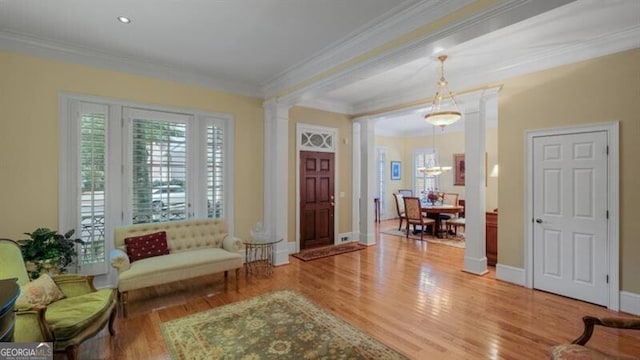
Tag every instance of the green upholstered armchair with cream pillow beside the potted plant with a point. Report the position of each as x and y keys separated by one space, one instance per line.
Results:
x=81 y=314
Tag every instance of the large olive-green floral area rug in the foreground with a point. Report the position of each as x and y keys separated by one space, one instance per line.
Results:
x=277 y=325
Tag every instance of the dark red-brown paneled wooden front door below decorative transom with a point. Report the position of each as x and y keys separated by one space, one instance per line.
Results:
x=317 y=199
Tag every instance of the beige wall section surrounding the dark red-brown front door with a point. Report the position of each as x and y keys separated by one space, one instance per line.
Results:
x=344 y=156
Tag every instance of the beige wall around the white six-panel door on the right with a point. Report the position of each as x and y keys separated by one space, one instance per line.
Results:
x=595 y=91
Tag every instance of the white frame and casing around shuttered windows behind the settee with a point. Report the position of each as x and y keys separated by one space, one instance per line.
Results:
x=118 y=140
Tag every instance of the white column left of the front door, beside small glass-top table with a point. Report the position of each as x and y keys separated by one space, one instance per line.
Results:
x=276 y=173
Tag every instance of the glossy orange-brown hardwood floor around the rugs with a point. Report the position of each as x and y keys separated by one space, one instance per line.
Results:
x=409 y=294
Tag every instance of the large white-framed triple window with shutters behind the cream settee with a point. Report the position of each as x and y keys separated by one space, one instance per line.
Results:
x=123 y=164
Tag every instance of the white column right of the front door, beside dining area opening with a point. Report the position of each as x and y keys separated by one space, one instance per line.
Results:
x=367 y=181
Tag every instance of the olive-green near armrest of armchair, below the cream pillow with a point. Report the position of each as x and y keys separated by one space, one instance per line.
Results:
x=31 y=326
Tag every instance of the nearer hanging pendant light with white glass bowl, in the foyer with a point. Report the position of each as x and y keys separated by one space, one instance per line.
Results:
x=444 y=108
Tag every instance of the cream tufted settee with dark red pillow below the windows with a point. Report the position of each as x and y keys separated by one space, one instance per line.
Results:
x=193 y=248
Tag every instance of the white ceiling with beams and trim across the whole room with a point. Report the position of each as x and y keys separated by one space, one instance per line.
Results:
x=267 y=47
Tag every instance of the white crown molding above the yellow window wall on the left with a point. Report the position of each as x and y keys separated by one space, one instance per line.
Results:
x=35 y=46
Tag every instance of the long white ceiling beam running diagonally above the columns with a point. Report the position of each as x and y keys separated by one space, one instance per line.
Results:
x=503 y=14
